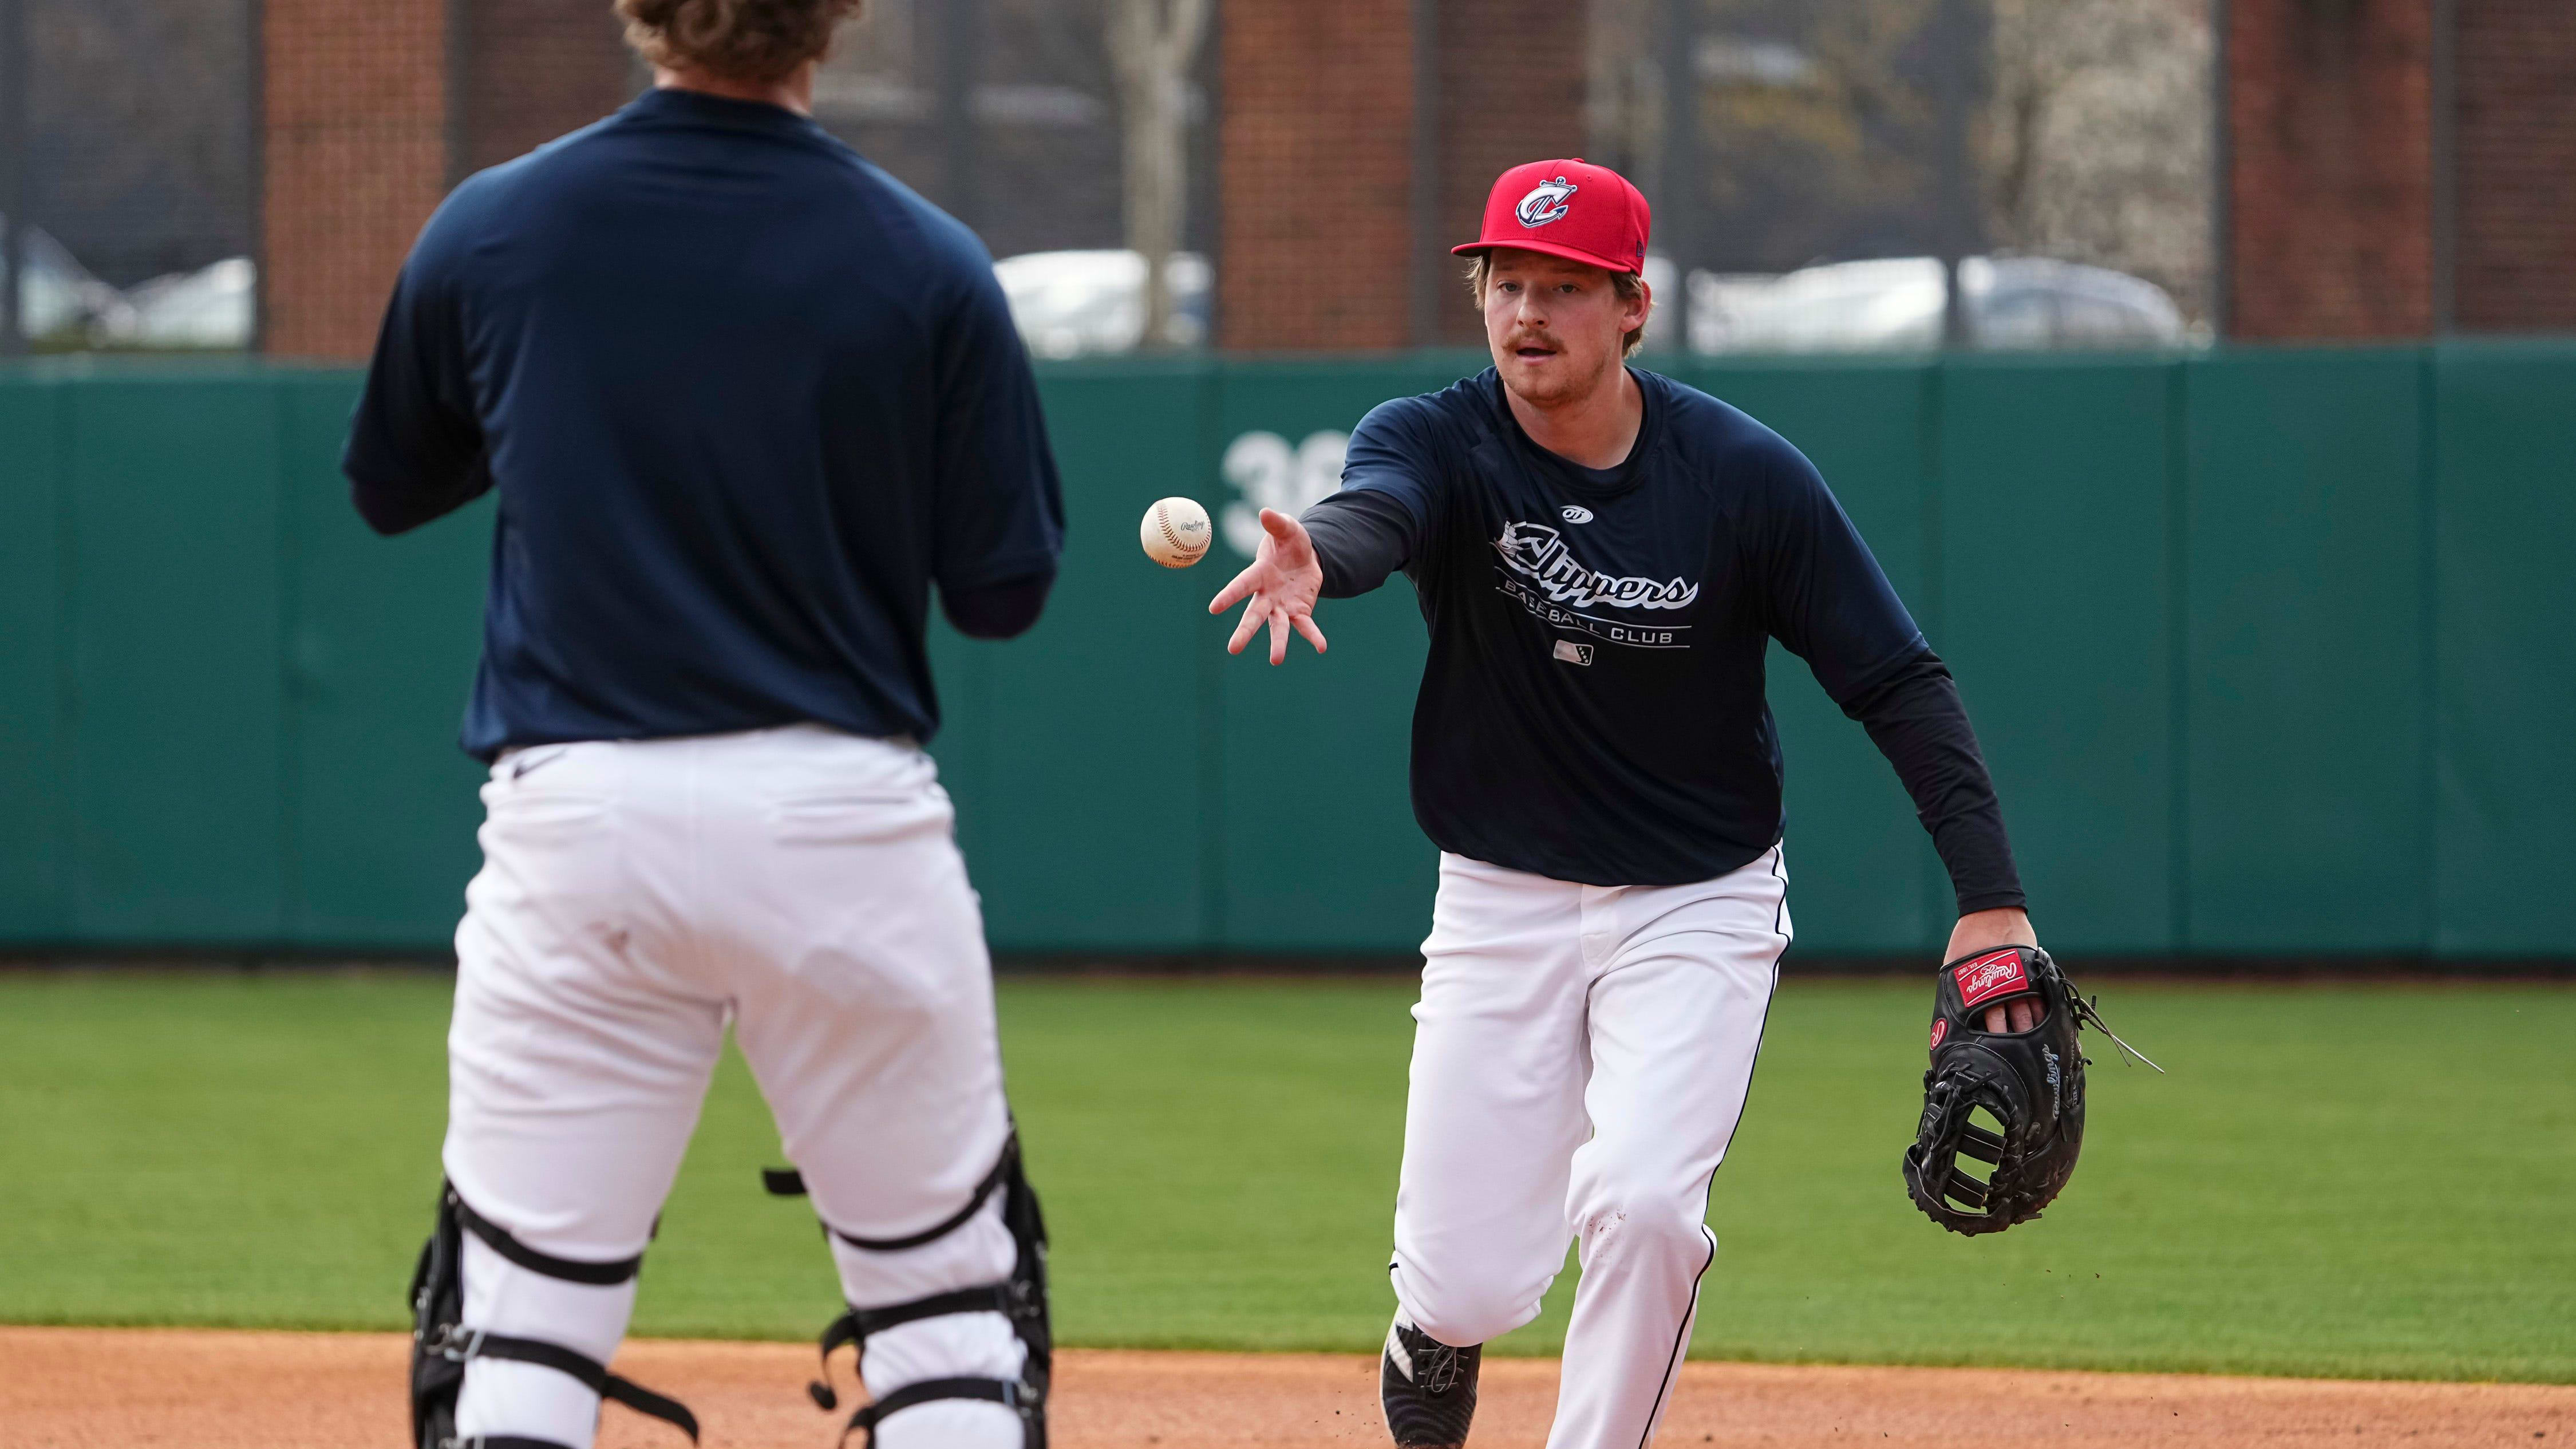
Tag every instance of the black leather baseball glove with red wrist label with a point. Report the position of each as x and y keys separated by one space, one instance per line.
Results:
x=2029 y=1082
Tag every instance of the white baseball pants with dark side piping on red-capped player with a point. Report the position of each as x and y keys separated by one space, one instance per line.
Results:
x=1580 y=1064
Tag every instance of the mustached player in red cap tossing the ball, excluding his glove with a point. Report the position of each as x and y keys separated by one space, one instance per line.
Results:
x=1604 y=558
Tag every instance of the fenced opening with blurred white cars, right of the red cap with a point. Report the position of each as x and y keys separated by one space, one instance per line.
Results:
x=1908 y=174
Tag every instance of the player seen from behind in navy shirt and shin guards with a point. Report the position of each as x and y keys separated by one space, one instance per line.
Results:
x=746 y=404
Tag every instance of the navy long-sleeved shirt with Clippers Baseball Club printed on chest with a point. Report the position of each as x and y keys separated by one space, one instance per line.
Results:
x=1593 y=705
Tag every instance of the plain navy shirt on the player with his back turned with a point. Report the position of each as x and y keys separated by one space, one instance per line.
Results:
x=746 y=401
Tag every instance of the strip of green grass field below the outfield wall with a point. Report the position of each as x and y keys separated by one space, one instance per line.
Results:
x=2366 y=1182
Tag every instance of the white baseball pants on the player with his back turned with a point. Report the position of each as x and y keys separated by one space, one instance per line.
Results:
x=805 y=888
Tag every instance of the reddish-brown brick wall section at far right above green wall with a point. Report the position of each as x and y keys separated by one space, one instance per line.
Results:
x=2400 y=169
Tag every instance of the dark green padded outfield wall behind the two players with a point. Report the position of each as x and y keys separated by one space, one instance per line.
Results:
x=2268 y=648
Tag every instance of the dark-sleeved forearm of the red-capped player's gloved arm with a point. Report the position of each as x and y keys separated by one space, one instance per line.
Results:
x=1920 y=726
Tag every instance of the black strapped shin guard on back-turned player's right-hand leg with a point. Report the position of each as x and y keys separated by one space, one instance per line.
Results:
x=1019 y=1298
